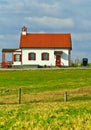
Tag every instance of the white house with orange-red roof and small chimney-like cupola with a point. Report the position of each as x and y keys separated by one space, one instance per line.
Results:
x=42 y=49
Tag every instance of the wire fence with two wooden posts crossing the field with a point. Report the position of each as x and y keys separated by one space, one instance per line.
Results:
x=22 y=95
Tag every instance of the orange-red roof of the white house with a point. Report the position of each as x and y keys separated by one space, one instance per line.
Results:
x=45 y=41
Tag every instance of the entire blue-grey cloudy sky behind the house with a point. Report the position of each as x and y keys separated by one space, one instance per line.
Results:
x=47 y=16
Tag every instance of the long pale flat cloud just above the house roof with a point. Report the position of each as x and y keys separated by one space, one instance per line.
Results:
x=52 y=22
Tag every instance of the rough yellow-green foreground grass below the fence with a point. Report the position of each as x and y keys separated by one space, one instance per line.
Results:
x=46 y=116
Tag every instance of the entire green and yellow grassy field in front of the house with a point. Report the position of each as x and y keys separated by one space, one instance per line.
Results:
x=42 y=107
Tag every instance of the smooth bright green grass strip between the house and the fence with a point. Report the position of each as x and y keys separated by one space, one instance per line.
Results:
x=46 y=80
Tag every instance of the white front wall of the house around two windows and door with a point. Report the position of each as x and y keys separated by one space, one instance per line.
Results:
x=38 y=61
